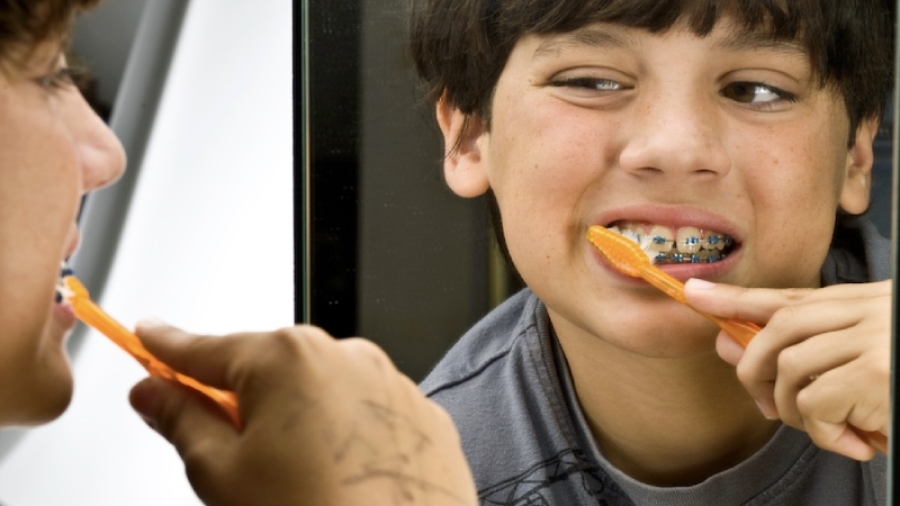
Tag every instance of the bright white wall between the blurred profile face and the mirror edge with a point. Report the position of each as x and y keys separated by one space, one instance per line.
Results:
x=208 y=246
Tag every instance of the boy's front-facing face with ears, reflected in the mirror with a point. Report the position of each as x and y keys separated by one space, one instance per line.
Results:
x=611 y=125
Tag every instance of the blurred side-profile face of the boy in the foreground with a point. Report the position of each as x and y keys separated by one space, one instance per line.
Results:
x=53 y=150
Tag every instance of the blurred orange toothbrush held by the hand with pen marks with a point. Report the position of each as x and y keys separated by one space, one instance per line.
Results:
x=91 y=314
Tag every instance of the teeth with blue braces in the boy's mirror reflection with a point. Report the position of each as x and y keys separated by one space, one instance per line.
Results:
x=666 y=245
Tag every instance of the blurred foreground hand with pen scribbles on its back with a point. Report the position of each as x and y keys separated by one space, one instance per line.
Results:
x=325 y=422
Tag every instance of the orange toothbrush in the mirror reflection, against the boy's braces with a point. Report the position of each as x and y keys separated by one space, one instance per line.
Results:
x=629 y=259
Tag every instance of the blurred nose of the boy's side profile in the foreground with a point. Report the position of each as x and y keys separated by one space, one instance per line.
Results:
x=100 y=153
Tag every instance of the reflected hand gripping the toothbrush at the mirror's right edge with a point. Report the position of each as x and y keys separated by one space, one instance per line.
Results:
x=822 y=362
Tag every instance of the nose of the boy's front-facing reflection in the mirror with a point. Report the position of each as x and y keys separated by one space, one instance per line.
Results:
x=676 y=136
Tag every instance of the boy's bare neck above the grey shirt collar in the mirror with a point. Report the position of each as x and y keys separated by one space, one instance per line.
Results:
x=665 y=421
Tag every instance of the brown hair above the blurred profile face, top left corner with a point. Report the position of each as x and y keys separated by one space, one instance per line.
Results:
x=27 y=23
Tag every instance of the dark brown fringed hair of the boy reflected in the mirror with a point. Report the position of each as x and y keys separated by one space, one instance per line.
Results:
x=460 y=47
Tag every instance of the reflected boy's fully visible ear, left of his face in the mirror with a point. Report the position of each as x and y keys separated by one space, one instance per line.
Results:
x=464 y=166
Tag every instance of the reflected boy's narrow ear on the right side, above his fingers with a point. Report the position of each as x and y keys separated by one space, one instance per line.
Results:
x=858 y=178
